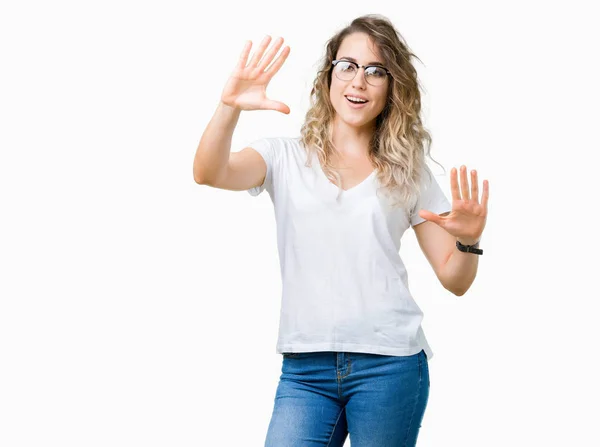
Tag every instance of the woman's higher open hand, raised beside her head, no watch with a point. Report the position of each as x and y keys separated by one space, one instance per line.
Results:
x=246 y=88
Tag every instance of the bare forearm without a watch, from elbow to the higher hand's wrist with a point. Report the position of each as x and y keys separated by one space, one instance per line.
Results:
x=214 y=148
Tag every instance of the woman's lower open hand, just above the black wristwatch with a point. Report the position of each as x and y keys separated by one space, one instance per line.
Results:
x=467 y=218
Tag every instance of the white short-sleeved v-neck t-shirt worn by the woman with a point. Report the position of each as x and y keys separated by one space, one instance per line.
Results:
x=344 y=285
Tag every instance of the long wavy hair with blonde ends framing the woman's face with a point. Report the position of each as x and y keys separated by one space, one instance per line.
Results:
x=400 y=142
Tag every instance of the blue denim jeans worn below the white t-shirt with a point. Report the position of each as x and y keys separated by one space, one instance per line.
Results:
x=379 y=400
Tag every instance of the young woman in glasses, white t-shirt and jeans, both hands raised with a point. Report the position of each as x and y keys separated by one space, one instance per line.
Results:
x=355 y=358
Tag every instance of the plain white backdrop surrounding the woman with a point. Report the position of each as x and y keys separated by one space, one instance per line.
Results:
x=141 y=309
